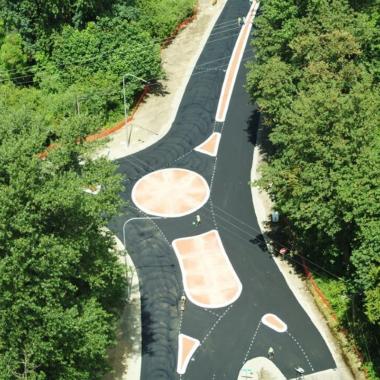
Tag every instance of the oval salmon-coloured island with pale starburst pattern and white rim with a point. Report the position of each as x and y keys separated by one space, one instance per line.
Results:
x=170 y=193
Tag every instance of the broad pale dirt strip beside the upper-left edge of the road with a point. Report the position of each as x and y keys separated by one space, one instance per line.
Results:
x=157 y=112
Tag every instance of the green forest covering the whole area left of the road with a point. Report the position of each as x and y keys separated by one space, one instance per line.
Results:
x=62 y=63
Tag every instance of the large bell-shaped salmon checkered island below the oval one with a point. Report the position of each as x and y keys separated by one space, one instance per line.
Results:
x=208 y=276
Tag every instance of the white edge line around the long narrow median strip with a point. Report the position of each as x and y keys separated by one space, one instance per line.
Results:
x=247 y=27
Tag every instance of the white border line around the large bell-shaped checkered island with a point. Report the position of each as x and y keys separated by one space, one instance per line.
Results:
x=185 y=285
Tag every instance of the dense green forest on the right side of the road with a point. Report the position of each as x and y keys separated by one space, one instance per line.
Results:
x=315 y=77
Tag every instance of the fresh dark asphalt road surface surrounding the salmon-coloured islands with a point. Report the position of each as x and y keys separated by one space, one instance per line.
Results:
x=232 y=334
